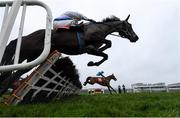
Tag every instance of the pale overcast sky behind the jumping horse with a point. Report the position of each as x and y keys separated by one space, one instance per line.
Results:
x=154 y=58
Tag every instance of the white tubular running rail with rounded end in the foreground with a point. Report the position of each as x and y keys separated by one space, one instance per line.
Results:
x=8 y=22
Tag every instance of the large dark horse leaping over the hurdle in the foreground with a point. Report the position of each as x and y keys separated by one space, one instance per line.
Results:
x=71 y=42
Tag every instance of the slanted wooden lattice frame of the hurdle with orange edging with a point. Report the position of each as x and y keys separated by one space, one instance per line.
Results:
x=37 y=87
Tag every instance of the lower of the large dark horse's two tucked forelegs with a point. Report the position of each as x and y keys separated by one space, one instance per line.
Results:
x=92 y=50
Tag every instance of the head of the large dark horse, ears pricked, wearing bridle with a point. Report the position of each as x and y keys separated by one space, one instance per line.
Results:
x=125 y=30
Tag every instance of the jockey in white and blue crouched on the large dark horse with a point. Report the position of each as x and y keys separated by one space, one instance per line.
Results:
x=69 y=19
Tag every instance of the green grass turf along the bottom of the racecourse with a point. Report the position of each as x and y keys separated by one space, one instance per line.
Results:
x=139 y=104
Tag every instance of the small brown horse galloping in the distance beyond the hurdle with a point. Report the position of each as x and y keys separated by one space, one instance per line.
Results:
x=104 y=81
